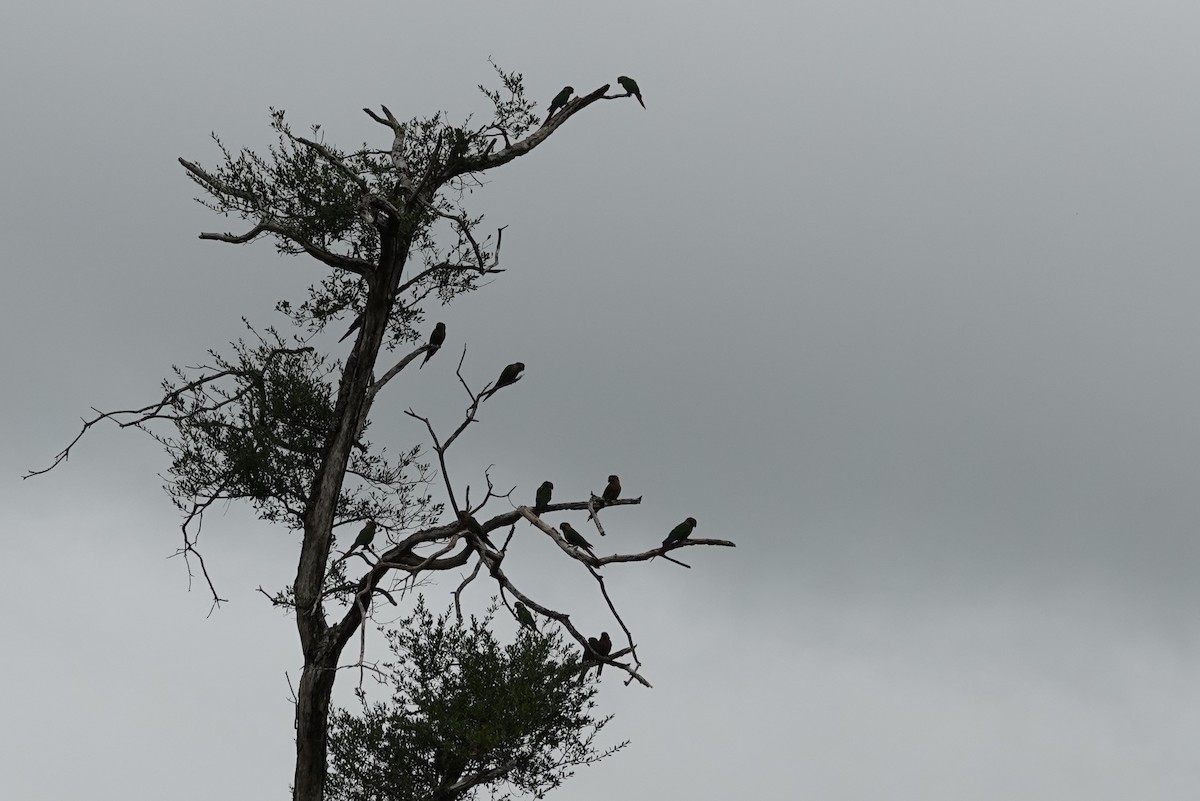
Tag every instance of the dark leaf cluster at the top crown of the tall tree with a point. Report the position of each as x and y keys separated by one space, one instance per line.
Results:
x=315 y=198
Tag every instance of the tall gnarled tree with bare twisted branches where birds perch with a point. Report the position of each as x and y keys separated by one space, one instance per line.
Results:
x=283 y=426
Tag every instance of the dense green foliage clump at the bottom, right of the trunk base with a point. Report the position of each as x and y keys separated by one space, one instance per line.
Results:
x=467 y=714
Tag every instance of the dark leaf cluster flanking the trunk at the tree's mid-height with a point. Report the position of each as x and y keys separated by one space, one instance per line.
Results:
x=255 y=429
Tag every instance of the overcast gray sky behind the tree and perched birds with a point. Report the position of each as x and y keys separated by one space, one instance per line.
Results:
x=899 y=297
